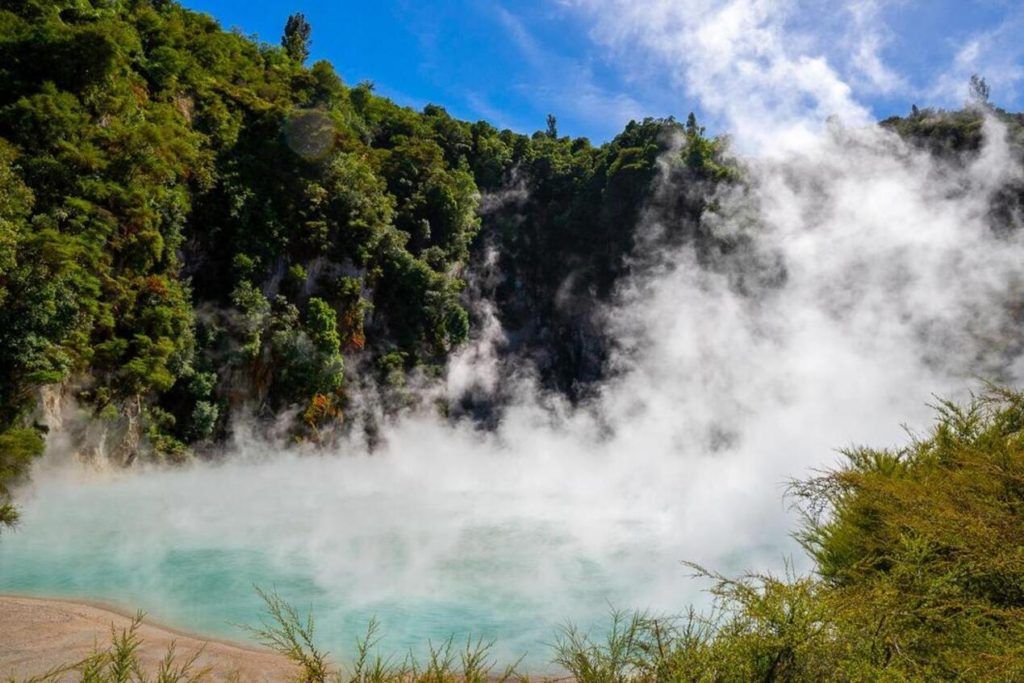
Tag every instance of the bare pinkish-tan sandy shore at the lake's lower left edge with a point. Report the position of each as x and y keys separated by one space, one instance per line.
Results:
x=38 y=634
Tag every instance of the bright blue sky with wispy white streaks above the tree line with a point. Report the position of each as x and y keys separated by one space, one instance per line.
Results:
x=596 y=64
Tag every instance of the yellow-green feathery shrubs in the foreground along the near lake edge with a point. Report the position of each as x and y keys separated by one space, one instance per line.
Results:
x=919 y=577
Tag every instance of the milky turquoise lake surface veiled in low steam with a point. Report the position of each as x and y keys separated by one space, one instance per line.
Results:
x=188 y=546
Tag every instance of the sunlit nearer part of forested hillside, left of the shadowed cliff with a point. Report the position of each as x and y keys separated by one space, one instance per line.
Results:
x=172 y=168
